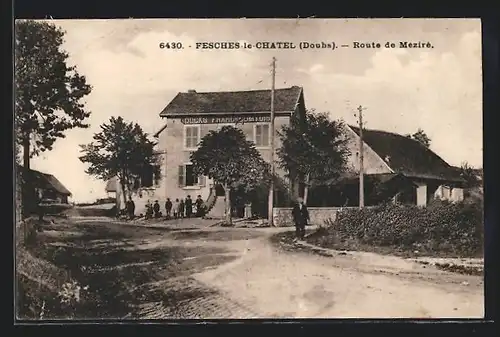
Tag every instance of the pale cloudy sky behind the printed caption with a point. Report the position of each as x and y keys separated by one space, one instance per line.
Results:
x=437 y=89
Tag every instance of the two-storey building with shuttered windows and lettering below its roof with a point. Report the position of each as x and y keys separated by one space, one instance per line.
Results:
x=190 y=116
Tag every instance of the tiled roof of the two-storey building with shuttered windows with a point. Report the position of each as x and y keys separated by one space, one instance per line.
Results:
x=192 y=102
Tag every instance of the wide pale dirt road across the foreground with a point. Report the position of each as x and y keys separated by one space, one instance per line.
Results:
x=190 y=270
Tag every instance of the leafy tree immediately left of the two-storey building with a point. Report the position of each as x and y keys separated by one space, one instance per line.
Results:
x=121 y=150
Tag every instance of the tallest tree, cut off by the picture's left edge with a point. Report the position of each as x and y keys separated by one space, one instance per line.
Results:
x=48 y=93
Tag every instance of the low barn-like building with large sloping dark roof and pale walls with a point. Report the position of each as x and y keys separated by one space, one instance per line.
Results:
x=403 y=168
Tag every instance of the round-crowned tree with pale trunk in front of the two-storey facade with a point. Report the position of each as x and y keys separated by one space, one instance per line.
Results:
x=232 y=161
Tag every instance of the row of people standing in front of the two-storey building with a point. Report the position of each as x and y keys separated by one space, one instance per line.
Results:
x=179 y=208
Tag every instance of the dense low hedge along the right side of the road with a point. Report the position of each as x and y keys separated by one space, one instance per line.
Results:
x=441 y=228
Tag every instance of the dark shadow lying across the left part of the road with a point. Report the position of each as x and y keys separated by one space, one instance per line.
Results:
x=122 y=278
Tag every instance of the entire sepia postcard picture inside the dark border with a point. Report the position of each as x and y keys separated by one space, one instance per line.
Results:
x=173 y=169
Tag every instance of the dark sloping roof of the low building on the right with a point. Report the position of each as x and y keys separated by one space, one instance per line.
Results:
x=407 y=156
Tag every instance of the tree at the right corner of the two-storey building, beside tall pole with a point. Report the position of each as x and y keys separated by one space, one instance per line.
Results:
x=313 y=149
